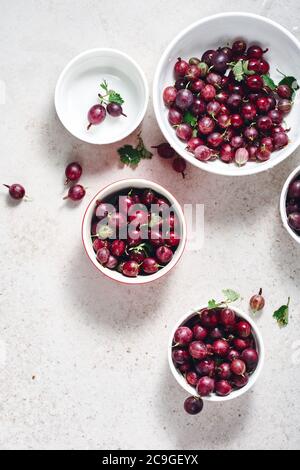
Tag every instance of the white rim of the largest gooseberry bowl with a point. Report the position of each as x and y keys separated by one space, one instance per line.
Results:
x=211 y=168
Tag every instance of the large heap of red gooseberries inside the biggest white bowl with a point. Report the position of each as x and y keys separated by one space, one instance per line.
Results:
x=222 y=107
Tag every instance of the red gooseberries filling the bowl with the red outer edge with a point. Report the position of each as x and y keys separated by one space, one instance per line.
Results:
x=135 y=232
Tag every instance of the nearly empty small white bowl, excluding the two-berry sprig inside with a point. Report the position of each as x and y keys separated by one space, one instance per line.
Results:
x=78 y=87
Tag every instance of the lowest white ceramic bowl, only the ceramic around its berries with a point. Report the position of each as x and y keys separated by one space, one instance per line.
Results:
x=252 y=379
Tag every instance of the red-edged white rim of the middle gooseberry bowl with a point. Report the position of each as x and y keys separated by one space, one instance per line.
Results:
x=140 y=280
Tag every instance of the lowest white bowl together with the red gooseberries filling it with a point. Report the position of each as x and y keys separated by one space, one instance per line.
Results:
x=216 y=354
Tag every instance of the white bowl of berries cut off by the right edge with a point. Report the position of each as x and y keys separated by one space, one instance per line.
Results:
x=290 y=204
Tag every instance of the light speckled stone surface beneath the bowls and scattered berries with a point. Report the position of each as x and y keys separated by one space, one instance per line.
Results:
x=98 y=350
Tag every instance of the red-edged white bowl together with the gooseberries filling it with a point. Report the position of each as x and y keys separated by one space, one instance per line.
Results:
x=134 y=231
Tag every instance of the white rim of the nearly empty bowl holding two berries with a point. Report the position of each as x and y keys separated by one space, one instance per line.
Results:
x=111 y=51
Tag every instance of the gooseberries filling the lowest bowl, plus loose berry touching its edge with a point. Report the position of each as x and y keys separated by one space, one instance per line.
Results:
x=216 y=352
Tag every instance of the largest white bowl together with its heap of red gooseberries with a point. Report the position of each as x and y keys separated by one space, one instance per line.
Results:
x=224 y=94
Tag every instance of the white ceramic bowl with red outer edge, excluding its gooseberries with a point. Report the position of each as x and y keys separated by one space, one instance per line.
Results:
x=115 y=188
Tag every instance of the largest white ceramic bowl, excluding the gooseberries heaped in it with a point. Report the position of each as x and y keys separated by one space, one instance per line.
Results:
x=209 y=33
